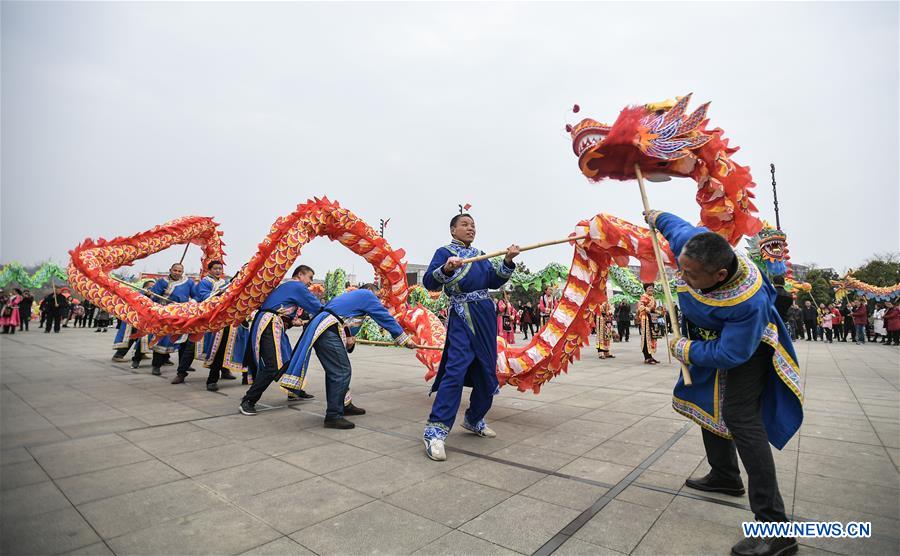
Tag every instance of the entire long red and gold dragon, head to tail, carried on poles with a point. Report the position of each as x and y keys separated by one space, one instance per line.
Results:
x=660 y=138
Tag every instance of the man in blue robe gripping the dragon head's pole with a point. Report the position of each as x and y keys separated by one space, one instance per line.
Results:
x=746 y=392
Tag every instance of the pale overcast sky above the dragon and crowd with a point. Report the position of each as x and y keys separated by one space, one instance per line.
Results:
x=120 y=116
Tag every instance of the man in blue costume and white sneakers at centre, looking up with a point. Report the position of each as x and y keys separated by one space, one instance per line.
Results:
x=470 y=352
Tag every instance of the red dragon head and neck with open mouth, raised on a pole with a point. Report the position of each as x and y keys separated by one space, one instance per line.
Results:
x=664 y=141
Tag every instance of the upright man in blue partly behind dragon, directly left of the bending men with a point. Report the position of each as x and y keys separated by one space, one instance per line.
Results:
x=221 y=351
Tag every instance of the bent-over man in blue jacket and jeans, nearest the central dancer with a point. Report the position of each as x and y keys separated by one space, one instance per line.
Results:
x=331 y=333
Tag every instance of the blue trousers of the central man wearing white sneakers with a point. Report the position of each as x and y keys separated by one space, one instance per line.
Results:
x=449 y=394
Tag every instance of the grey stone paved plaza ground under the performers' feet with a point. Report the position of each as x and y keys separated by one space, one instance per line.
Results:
x=97 y=459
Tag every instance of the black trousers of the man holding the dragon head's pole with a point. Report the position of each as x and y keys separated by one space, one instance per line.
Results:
x=744 y=386
